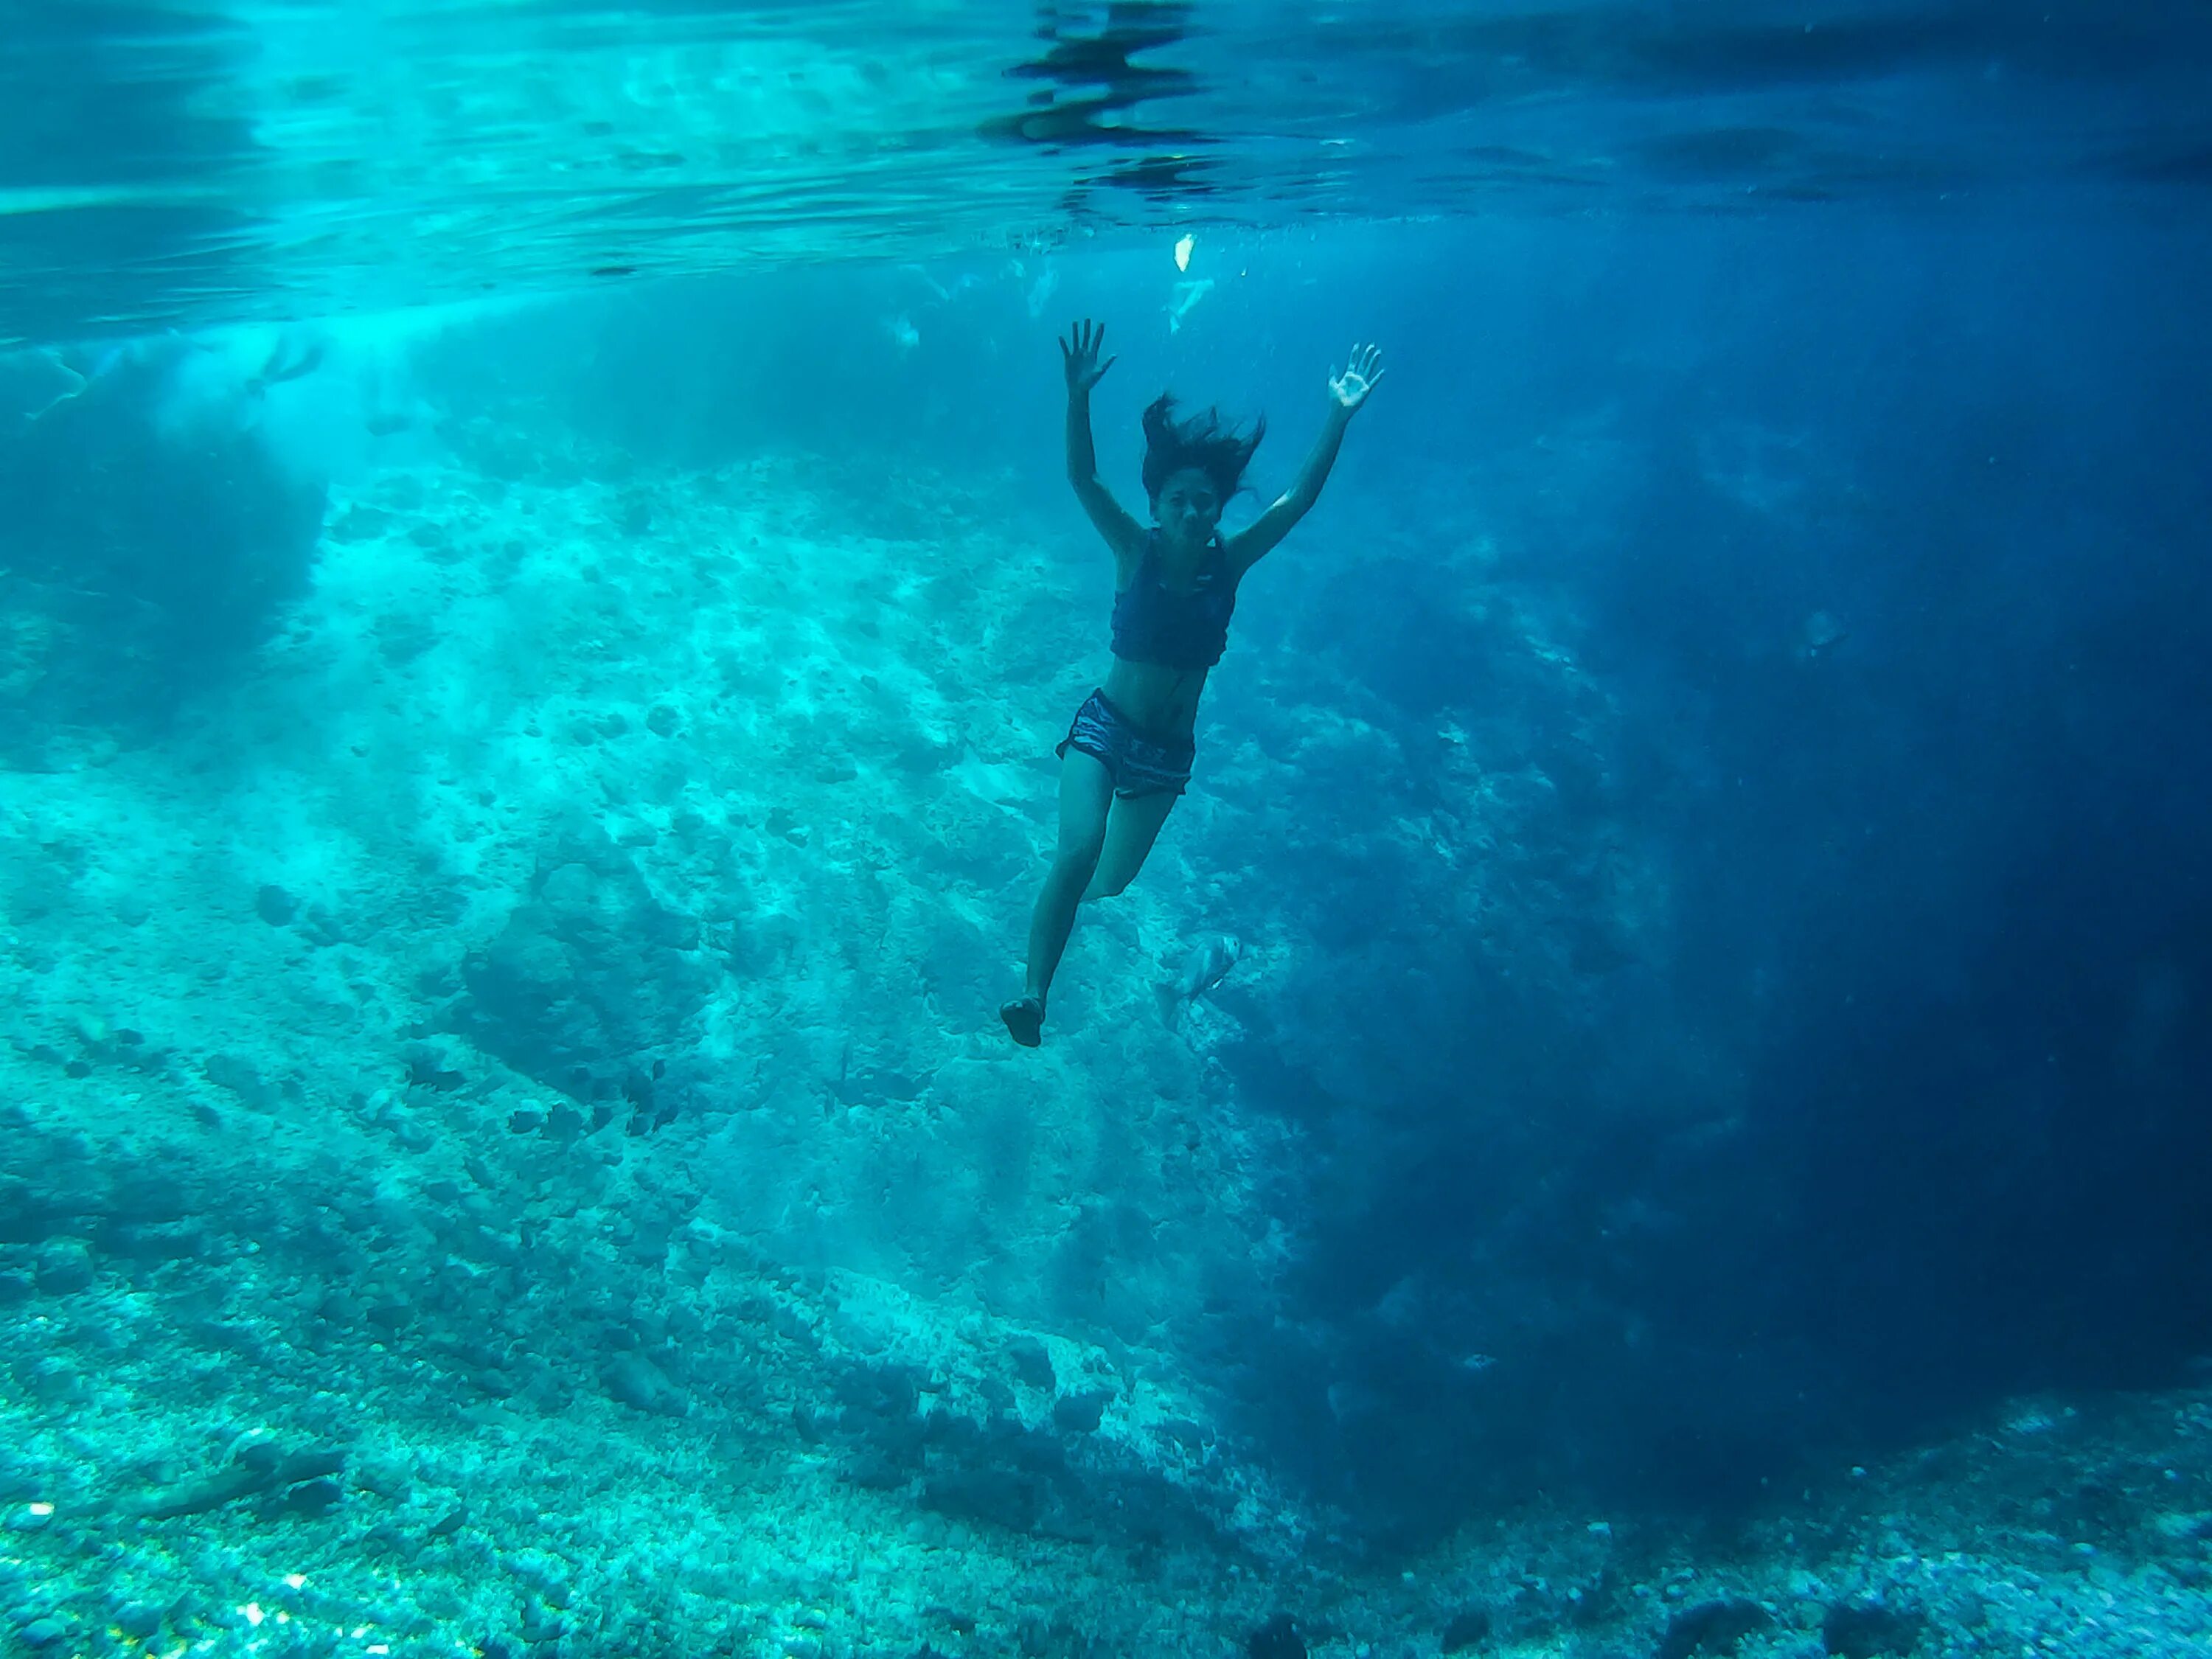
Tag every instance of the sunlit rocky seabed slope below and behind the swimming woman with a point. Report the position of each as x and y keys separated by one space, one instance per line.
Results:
x=545 y=1180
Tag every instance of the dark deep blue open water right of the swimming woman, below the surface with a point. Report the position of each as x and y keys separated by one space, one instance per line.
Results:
x=1897 y=1109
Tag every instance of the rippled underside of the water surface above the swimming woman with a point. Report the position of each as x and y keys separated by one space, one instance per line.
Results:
x=207 y=163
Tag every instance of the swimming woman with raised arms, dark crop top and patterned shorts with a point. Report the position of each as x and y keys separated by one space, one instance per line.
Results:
x=1129 y=753
